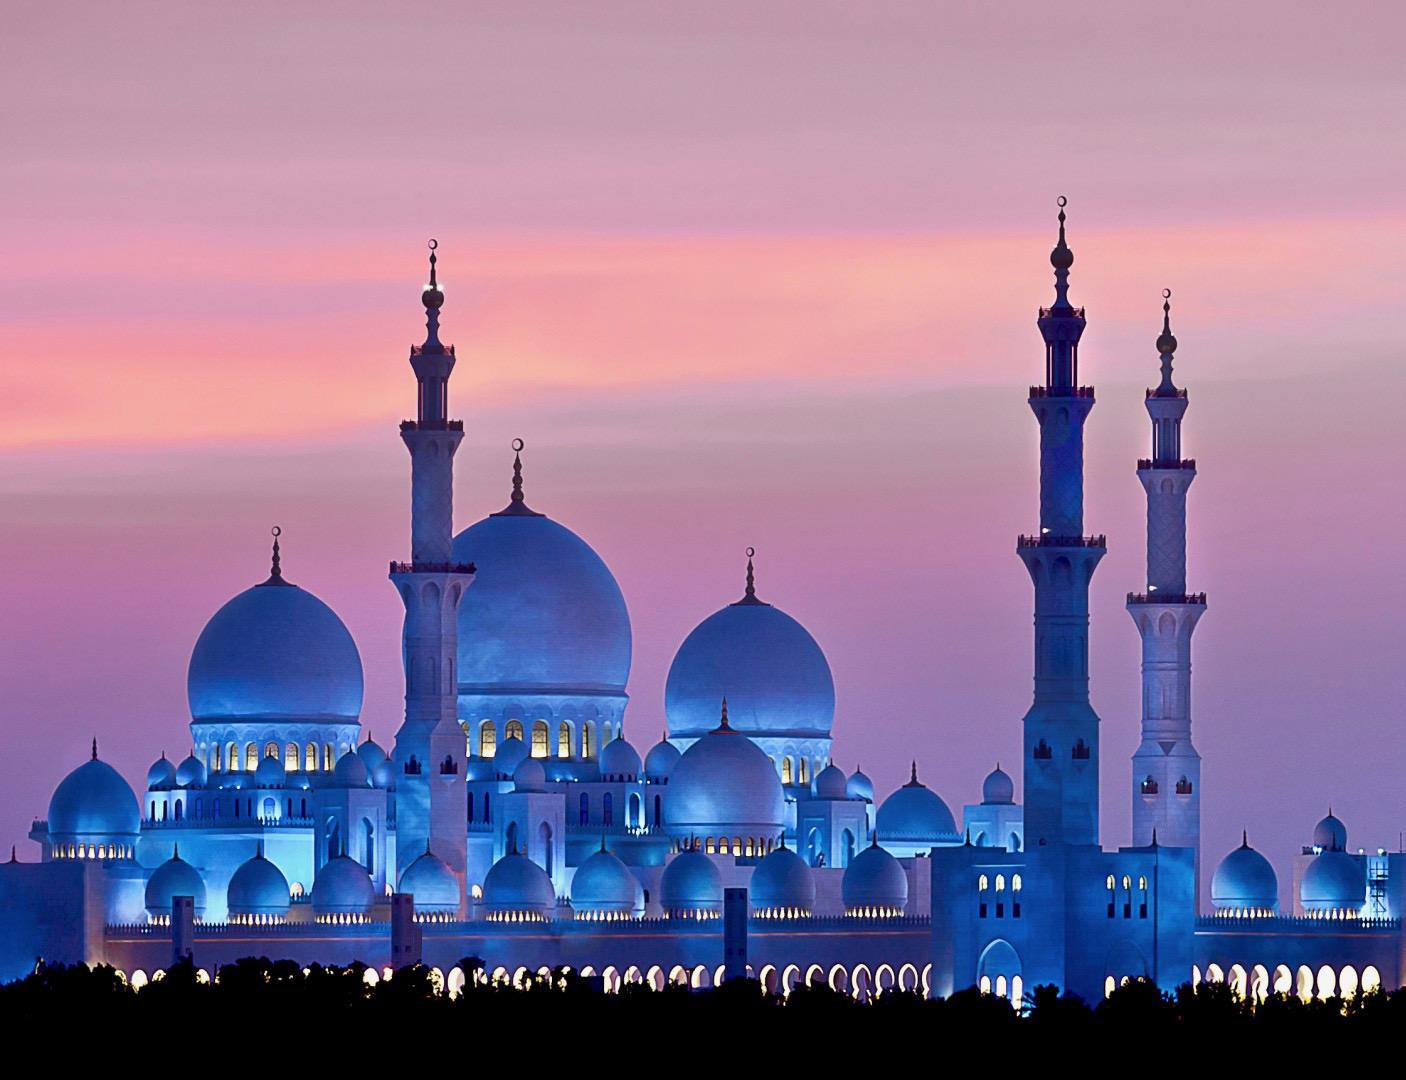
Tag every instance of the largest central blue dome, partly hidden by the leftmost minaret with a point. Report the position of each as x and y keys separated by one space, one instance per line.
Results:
x=545 y=614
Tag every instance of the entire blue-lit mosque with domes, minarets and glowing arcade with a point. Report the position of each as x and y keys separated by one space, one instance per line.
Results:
x=515 y=823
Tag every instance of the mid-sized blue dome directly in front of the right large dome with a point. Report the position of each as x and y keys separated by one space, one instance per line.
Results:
x=725 y=787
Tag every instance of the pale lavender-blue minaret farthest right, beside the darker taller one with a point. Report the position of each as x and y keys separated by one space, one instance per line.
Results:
x=1166 y=767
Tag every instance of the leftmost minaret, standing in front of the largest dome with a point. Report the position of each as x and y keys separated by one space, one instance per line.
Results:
x=431 y=804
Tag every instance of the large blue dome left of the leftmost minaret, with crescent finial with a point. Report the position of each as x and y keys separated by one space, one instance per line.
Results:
x=275 y=653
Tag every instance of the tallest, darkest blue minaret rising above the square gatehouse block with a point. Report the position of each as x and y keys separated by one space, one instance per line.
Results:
x=1061 y=728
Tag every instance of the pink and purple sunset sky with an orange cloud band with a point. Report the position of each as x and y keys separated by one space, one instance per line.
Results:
x=740 y=274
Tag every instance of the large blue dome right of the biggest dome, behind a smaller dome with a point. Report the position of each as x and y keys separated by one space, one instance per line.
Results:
x=768 y=666
